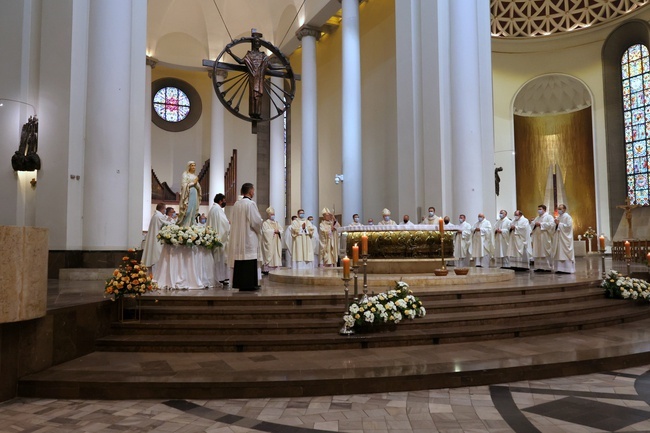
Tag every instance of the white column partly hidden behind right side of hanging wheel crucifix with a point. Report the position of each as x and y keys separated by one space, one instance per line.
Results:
x=277 y=173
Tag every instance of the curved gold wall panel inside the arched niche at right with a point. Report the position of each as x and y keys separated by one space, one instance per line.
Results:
x=563 y=139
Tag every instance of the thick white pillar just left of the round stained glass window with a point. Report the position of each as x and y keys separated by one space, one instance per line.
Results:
x=114 y=154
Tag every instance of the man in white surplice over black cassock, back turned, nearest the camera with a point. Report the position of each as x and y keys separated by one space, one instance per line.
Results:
x=244 y=247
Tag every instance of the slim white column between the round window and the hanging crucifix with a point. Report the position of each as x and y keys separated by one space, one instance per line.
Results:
x=217 y=145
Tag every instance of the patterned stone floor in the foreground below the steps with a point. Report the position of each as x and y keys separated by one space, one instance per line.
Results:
x=604 y=402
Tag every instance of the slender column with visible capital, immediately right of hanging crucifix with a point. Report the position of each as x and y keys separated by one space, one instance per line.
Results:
x=309 y=160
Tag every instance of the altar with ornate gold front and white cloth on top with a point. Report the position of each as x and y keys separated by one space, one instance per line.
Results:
x=400 y=242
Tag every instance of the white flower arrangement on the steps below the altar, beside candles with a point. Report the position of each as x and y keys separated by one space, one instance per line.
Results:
x=390 y=307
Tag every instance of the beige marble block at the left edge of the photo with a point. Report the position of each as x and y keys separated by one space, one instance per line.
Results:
x=23 y=273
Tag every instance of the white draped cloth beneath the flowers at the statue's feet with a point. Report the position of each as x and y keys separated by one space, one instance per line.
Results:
x=183 y=267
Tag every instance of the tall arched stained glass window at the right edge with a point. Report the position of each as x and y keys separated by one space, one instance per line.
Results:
x=635 y=72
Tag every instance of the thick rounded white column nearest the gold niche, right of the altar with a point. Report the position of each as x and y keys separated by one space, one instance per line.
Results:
x=472 y=140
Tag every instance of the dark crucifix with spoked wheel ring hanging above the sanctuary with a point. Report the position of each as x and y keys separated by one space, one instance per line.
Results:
x=236 y=76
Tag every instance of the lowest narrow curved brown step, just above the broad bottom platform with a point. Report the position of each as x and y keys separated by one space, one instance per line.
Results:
x=402 y=335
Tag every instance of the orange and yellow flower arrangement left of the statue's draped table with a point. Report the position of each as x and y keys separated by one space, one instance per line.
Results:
x=131 y=278
